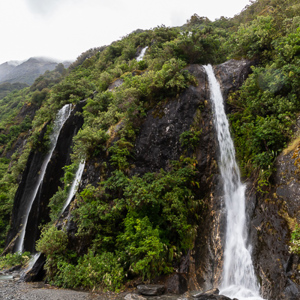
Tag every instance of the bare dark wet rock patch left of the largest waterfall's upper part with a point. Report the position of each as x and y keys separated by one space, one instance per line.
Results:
x=158 y=141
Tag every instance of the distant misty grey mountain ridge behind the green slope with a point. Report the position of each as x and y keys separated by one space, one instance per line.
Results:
x=27 y=71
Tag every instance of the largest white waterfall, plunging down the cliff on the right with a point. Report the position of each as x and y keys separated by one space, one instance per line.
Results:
x=238 y=273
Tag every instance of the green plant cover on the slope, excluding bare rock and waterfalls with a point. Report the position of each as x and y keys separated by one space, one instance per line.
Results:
x=132 y=223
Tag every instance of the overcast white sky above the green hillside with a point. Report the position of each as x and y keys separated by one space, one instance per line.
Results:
x=63 y=29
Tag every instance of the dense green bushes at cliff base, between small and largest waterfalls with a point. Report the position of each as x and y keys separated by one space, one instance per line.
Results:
x=138 y=226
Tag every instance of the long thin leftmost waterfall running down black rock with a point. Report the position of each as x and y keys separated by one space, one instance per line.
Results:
x=61 y=117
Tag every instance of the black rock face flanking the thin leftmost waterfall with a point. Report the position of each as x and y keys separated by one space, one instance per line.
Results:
x=40 y=212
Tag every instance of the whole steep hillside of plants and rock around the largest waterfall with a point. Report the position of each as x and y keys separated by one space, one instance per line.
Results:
x=150 y=205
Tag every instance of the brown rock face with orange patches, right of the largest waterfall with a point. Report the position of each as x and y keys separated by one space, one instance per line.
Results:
x=274 y=213
